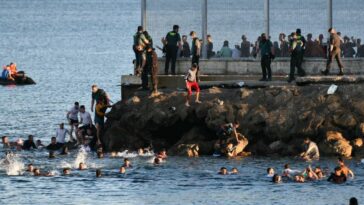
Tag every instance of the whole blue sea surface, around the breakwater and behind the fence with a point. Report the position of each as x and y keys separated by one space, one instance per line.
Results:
x=68 y=45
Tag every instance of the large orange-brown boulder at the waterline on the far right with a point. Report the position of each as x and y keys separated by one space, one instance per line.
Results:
x=335 y=144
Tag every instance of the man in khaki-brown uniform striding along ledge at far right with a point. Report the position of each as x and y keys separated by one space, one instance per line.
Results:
x=334 y=52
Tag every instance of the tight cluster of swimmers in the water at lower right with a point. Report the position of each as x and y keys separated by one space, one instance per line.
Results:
x=340 y=175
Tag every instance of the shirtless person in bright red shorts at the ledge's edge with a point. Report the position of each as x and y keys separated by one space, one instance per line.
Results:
x=192 y=79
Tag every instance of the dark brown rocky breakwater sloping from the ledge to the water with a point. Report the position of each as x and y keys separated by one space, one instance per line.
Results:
x=274 y=120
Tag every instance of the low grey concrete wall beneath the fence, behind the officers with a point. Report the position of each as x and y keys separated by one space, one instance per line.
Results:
x=249 y=66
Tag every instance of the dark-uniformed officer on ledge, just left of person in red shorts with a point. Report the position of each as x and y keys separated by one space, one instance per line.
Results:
x=172 y=42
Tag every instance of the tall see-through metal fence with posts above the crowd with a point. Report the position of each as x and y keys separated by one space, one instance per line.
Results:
x=231 y=19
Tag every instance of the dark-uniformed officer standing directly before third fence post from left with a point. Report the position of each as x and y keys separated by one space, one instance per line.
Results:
x=267 y=54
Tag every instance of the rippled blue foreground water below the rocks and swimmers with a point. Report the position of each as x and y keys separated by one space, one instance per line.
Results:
x=177 y=181
